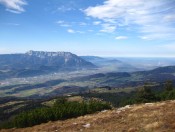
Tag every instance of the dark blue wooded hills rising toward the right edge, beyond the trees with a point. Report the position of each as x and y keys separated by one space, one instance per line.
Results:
x=129 y=79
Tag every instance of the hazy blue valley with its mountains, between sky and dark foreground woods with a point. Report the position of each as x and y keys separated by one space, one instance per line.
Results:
x=39 y=73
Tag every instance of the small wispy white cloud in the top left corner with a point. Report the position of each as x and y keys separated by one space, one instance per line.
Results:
x=14 y=6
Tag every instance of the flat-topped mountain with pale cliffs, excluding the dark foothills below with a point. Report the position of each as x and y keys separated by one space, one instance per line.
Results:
x=37 y=59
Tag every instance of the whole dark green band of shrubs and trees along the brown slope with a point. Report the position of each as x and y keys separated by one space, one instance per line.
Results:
x=61 y=109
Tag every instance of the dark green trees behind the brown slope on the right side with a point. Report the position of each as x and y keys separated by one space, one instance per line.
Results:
x=144 y=94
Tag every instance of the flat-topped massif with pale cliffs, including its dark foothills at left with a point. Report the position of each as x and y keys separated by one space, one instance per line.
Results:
x=40 y=62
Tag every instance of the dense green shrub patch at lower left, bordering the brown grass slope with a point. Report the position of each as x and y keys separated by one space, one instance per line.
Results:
x=61 y=110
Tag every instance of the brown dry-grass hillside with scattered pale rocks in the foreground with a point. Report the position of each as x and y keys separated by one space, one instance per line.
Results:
x=145 y=117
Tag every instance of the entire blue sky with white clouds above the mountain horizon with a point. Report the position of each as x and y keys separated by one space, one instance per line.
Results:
x=113 y=28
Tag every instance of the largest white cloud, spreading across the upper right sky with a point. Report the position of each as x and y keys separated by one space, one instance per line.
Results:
x=152 y=18
